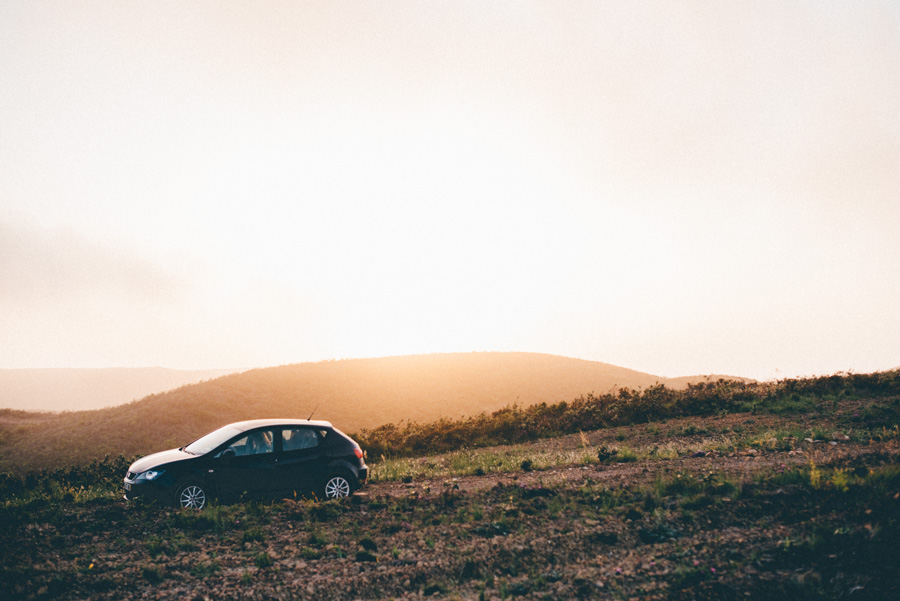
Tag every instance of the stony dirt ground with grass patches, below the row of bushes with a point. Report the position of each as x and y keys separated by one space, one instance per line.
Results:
x=817 y=521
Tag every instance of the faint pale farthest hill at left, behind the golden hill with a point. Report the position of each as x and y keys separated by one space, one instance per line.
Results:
x=81 y=389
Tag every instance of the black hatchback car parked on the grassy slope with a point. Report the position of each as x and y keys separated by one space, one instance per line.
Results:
x=257 y=458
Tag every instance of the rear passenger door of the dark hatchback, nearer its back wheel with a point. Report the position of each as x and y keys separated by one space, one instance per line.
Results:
x=301 y=465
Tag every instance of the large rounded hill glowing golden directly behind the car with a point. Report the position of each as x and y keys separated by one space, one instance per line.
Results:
x=353 y=394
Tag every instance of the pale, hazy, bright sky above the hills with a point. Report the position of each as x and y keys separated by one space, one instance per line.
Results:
x=674 y=187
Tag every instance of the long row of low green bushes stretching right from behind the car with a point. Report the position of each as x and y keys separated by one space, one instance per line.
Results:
x=515 y=424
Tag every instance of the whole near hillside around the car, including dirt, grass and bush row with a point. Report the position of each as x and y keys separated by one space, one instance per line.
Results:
x=785 y=490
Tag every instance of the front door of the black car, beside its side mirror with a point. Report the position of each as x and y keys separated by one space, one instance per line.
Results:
x=246 y=466
